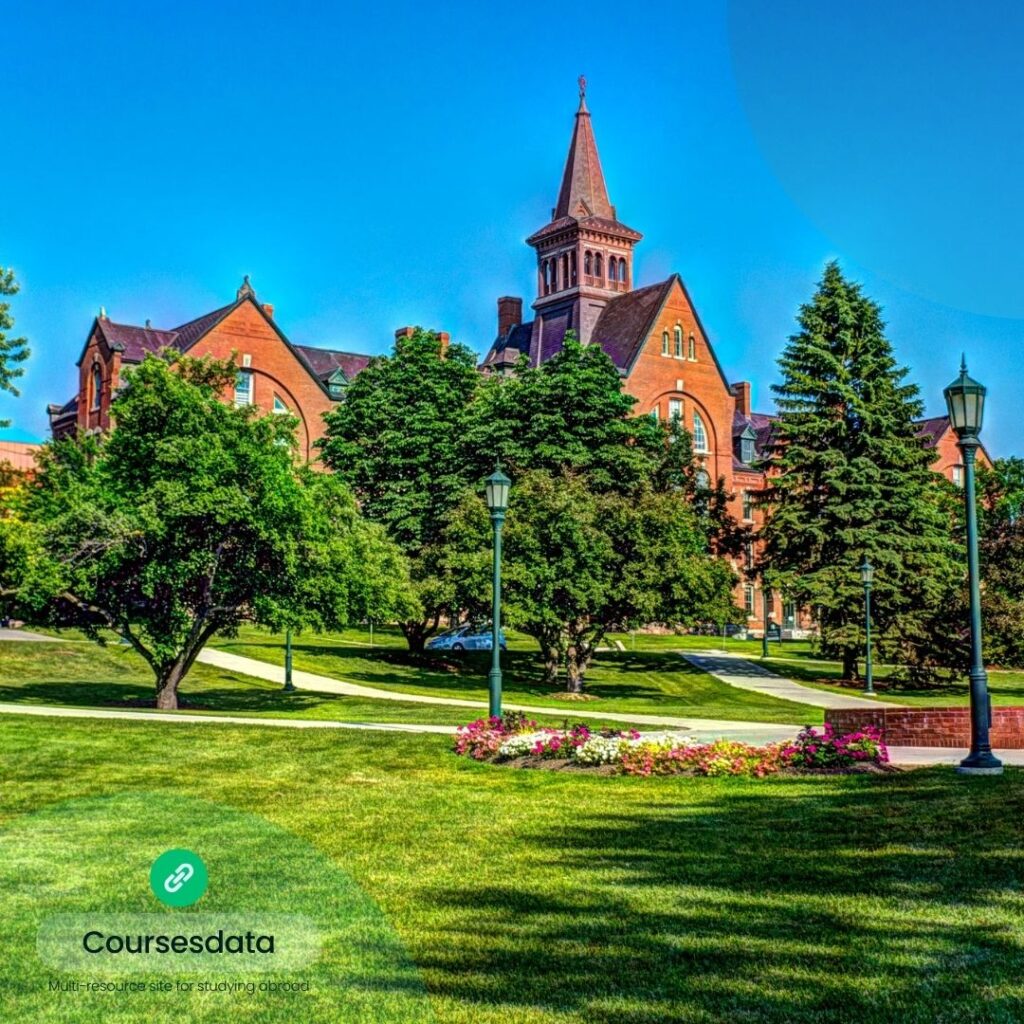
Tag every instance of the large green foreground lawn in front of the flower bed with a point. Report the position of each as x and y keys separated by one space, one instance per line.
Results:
x=526 y=898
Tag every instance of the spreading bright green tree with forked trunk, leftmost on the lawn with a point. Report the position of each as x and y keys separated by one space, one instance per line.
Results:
x=192 y=518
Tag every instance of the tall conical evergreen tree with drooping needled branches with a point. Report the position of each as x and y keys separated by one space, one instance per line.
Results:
x=850 y=479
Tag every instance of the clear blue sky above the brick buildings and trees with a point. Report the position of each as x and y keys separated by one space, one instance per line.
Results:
x=381 y=165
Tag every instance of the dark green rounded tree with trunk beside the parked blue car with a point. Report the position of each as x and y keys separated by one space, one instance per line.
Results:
x=400 y=441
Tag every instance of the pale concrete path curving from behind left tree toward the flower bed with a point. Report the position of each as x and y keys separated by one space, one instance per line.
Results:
x=711 y=729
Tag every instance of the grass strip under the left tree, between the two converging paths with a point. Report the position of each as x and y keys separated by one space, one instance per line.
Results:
x=83 y=674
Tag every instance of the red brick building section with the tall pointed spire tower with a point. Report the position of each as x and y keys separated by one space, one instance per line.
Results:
x=654 y=334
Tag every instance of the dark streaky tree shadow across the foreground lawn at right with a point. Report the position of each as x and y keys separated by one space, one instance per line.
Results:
x=832 y=902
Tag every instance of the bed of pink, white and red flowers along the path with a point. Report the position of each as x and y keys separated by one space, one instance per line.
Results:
x=516 y=739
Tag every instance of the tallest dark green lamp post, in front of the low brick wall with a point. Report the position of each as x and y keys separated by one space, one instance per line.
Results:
x=966 y=403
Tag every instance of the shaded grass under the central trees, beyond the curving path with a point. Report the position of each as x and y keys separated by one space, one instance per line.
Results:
x=642 y=682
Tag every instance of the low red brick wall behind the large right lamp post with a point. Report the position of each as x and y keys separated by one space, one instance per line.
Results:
x=932 y=727
